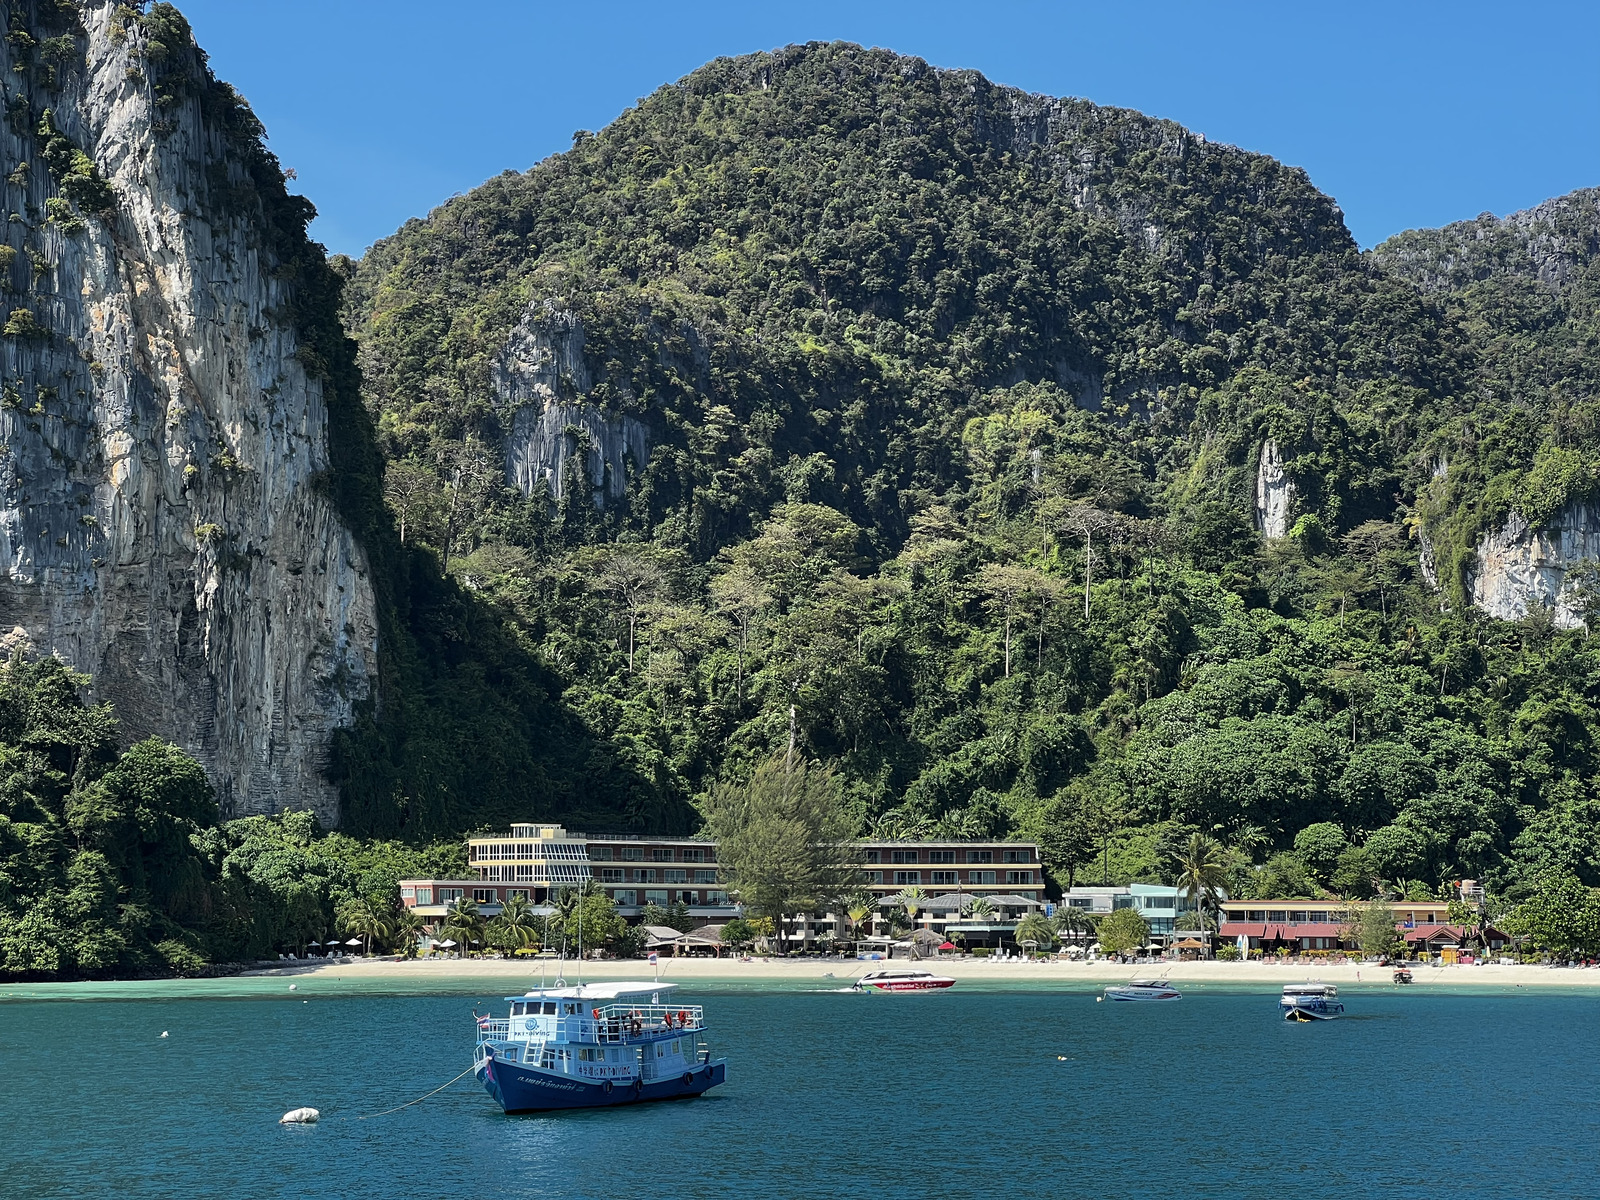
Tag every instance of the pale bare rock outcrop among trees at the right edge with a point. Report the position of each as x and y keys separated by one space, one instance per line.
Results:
x=1519 y=569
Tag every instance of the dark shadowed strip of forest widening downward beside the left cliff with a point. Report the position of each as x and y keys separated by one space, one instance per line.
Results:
x=466 y=727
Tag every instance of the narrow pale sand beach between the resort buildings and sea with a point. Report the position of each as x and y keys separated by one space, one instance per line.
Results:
x=1266 y=977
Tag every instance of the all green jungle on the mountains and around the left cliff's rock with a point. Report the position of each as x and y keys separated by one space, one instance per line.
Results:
x=954 y=401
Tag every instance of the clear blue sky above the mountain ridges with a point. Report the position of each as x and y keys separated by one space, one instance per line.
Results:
x=1409 y=114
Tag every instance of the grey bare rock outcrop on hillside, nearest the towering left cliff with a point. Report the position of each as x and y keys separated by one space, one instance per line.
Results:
x=540 y=383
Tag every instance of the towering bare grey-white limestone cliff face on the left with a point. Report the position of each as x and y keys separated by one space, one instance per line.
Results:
x=161 y=518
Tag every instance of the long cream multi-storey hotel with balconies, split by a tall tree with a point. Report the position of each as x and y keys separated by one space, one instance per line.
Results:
x=636 y=871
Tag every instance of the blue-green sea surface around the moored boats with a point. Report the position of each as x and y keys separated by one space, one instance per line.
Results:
x=980 y=1092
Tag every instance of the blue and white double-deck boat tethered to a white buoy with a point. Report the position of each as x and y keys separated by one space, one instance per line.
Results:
x=594 y=1046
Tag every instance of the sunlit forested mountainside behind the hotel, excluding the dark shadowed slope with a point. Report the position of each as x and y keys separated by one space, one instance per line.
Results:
x=826 y=396
